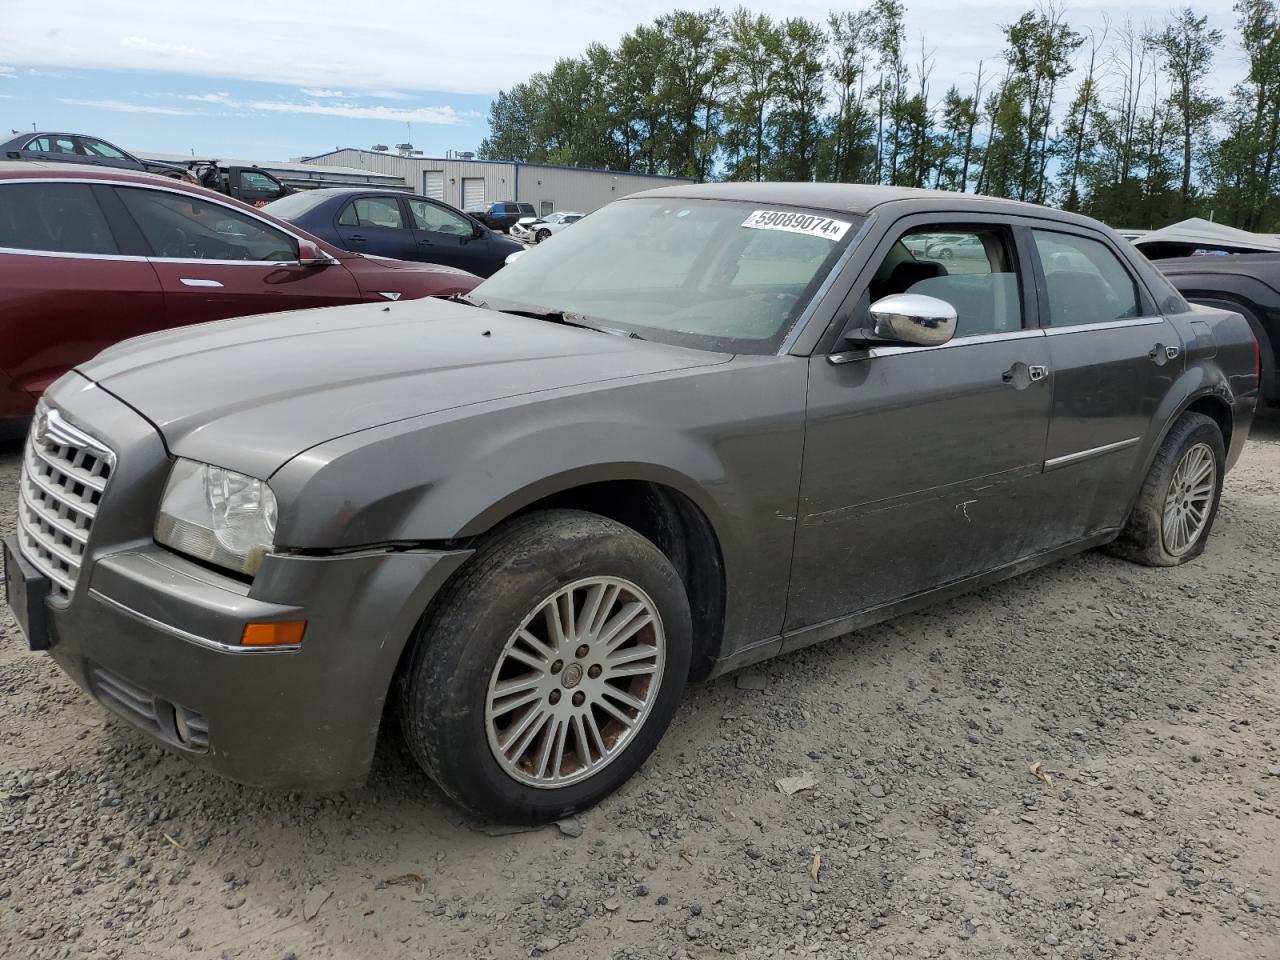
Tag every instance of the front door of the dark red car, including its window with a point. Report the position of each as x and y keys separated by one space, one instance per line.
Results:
x=216 y=262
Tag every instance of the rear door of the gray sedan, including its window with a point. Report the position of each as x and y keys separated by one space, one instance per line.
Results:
x=1114 y=359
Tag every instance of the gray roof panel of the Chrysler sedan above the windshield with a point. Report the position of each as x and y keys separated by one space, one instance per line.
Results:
x=854 y=198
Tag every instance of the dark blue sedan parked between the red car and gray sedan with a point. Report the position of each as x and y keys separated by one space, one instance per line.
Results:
x=399 y=226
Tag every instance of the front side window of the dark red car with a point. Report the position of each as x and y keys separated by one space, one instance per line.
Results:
x=184 y=227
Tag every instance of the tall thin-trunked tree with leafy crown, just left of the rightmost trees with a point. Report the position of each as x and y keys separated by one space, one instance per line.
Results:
x=1186 y=47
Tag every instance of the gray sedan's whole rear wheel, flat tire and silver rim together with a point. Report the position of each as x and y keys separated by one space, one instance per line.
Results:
x=1146 y=540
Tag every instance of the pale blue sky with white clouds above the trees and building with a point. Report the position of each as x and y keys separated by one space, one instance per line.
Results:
x=273 y=81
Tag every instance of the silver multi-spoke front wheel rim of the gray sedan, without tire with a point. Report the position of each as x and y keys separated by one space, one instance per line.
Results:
x=575 y=682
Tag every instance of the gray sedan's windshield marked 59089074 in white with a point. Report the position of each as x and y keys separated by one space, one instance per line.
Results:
x=721 y=276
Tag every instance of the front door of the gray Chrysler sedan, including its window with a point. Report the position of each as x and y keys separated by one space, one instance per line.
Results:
x=922 y=464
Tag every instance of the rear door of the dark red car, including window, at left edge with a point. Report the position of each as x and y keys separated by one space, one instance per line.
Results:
x=68 y=290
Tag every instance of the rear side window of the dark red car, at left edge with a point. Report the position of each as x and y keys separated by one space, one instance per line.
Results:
x=62 y=218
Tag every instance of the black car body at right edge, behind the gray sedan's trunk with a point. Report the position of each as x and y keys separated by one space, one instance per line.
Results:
x=1247 y=284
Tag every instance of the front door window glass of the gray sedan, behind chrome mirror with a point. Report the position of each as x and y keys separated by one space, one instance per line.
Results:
x=973 y=269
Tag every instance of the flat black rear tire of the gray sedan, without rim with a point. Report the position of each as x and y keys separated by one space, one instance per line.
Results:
x=1142 y=540
